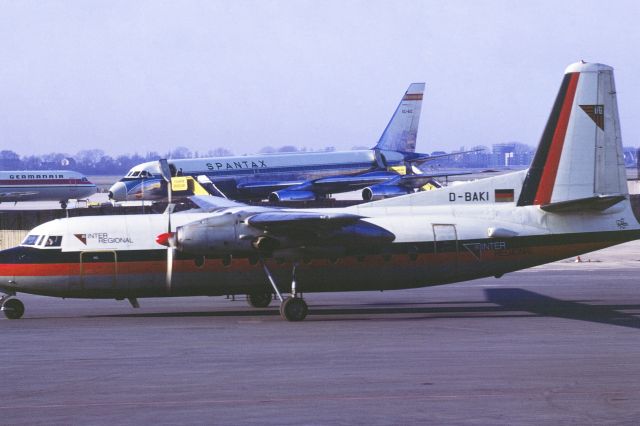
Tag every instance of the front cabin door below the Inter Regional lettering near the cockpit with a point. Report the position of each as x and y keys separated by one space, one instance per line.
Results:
x=98 y=270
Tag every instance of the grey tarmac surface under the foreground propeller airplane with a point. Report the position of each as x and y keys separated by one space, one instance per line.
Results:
x=558 y=344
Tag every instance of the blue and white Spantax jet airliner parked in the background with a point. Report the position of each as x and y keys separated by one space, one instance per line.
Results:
x=302 y=176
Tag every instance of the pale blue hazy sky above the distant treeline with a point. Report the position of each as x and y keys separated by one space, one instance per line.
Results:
x=127 y=76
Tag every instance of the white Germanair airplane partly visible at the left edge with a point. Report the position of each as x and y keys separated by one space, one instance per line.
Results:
x=44 y=185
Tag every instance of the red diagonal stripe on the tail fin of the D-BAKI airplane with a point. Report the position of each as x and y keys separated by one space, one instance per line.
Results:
x=545 y=188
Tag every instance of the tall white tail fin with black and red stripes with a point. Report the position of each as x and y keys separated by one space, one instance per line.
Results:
x=580 y=153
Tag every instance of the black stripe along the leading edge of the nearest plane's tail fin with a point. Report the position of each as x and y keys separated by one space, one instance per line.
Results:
x=532 y=181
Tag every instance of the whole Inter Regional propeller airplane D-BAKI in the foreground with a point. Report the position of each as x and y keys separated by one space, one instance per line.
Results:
x=572 y=200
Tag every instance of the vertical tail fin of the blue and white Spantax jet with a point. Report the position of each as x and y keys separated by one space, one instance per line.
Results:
x=402 y=130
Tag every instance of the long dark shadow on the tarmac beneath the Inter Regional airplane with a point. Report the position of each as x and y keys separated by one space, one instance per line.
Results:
x=511 y=302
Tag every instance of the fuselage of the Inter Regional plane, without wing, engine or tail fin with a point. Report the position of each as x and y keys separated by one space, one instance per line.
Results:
x=117 y=256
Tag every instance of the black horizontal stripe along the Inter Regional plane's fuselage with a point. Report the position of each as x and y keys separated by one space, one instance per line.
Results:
x=30 y=255
